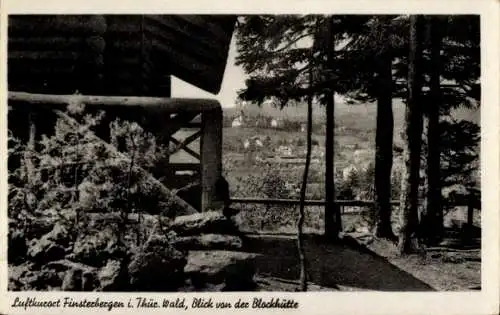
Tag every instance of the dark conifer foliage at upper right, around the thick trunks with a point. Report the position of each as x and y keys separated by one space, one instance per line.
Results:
x=381 y=34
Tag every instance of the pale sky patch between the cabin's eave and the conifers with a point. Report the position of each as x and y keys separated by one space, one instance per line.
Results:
x=234 y=80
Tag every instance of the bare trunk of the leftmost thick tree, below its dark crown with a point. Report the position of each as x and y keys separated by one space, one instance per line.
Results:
x=383 y=150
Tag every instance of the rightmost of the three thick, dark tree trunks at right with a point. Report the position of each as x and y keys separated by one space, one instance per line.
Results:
x=434 y=211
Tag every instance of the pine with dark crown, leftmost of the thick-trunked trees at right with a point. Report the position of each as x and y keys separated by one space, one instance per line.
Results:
x=366 y=67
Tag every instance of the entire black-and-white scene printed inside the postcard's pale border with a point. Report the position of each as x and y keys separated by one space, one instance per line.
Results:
x=201 y=153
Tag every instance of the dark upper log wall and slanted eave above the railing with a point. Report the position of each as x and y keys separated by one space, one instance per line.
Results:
x=116 y=54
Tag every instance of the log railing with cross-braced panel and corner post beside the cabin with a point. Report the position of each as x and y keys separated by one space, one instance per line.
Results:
x=158 y=113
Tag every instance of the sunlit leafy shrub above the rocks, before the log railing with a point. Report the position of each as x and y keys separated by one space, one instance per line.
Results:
x=75 y=170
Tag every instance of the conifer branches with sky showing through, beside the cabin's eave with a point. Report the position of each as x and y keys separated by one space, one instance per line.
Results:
x=276 y=51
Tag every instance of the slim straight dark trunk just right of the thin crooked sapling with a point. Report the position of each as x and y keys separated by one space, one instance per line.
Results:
x=332 y=215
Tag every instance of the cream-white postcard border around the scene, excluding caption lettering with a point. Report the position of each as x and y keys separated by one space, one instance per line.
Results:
x=484 y=302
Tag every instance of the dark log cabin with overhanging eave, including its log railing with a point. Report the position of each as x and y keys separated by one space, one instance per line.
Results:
x=127 y=56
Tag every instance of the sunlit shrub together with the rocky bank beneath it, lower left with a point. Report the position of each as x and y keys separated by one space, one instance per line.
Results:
x=71 y=199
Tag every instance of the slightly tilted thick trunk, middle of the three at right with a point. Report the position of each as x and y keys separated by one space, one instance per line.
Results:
x=412 y=137
